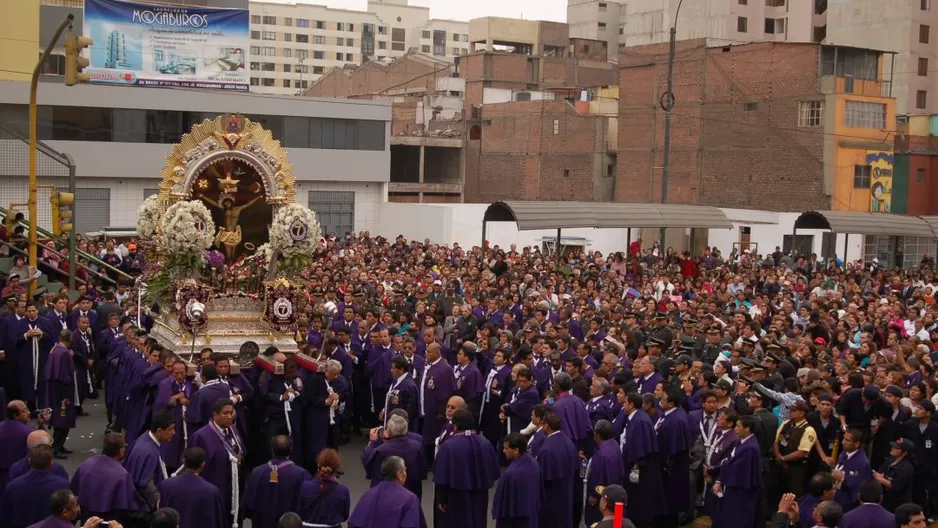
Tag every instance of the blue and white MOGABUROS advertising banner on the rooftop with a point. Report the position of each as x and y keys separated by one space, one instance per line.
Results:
x=167 y=45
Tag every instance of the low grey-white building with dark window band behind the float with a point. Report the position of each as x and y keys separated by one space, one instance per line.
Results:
x=119 y=138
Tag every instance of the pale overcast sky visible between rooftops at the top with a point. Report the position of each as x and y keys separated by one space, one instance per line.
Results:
x=555 y=10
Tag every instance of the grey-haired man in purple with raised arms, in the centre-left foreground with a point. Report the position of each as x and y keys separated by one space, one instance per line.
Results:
x=395 y=443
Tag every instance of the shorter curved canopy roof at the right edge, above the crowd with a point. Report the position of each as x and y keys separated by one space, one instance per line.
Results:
x=862 y=223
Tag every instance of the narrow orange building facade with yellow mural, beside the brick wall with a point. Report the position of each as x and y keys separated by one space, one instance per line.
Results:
x=859 y=132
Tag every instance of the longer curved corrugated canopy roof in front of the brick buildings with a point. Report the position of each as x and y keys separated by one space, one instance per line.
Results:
x=604 y=215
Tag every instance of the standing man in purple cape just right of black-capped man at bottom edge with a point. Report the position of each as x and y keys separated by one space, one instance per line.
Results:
x=641 y=462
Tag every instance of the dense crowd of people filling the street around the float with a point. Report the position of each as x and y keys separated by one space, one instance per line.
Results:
x=746 y=389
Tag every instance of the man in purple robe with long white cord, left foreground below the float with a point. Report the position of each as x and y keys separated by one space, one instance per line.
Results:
x=224 y=454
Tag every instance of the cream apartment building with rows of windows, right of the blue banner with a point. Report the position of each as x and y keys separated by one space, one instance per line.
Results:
x=293 y=44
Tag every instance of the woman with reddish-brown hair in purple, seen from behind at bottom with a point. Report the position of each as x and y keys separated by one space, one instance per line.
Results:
x=324 y=500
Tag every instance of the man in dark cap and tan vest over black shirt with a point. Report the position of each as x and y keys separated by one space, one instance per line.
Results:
x=793 y=445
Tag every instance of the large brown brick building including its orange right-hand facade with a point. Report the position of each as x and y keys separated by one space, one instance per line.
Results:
x=771 y=126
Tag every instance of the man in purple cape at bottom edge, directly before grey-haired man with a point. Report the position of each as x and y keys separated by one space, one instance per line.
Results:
x=389 y=504
